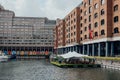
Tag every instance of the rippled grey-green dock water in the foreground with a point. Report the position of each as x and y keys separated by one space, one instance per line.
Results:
x=43 y=70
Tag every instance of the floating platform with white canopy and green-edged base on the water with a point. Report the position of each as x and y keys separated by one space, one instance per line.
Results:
x=74 y=60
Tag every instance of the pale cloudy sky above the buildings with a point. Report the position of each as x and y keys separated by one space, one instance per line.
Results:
x=52 y=9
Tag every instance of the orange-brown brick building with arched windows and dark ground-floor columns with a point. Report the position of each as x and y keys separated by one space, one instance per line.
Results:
x=97 y=29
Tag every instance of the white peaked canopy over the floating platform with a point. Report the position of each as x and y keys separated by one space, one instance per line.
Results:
x=72 y=54
